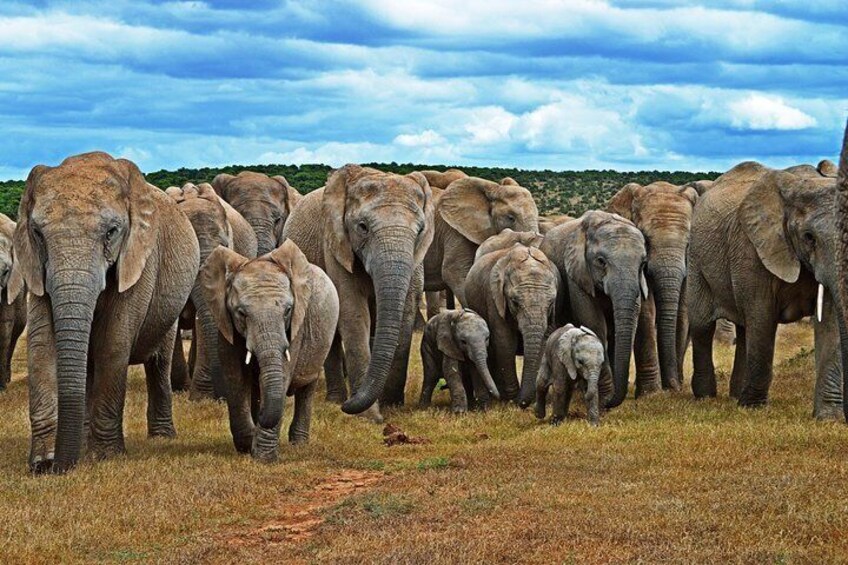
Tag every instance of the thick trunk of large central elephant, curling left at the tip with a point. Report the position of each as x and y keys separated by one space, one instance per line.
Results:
x=391 y=271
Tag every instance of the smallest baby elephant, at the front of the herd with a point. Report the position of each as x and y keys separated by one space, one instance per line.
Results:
x=572 y=356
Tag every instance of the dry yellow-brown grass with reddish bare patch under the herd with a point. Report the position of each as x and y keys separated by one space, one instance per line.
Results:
x=664 y=479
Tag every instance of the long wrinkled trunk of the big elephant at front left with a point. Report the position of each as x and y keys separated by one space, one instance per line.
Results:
x=73 y=295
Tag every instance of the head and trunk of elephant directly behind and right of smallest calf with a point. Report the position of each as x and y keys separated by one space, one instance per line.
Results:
x=604 y=255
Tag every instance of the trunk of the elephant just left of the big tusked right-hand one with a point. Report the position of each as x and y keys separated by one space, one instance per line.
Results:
x=668 y=282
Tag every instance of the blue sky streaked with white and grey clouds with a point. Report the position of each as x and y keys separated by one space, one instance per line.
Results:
x=642 y=84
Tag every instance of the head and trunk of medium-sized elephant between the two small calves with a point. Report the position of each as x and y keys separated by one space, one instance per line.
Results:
x=524 y=284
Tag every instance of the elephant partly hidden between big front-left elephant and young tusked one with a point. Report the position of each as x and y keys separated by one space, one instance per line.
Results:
x=215 y=223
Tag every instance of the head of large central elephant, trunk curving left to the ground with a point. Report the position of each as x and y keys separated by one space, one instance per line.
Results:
x=383 y=224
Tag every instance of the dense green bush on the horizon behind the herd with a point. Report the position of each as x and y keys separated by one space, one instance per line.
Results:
x=557 y=192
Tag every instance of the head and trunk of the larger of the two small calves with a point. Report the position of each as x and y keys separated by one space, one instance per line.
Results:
x=466 y=336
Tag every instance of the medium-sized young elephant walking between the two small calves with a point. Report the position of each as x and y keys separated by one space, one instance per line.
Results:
x=515 y=291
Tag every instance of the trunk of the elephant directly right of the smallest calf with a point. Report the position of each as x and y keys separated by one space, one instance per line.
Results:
x=625 y=304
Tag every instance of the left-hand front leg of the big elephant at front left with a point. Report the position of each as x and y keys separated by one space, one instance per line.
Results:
x=41 y=361
